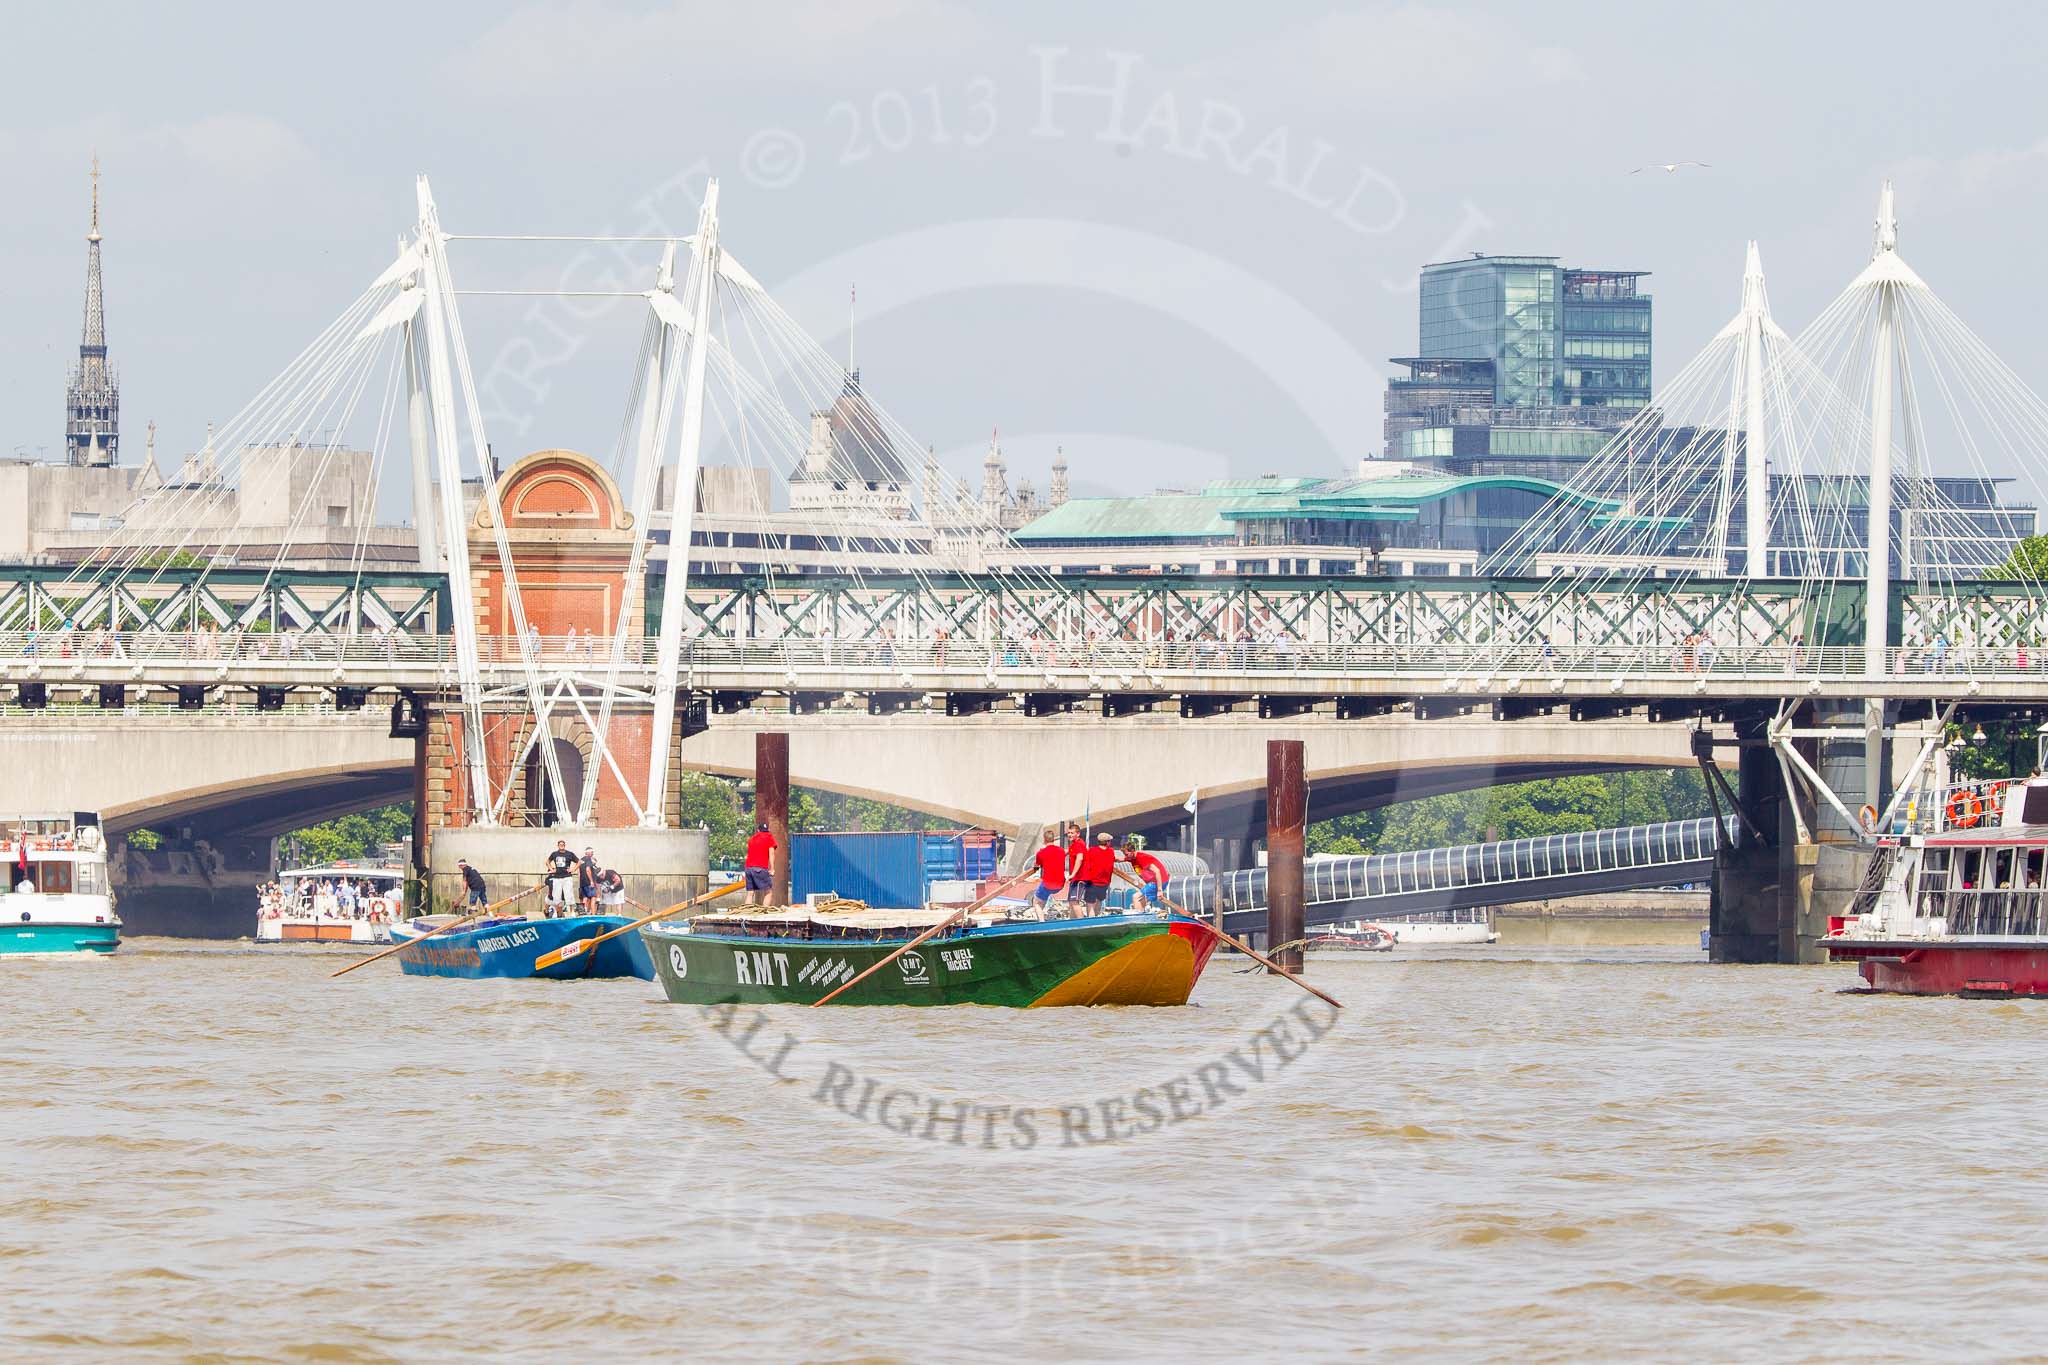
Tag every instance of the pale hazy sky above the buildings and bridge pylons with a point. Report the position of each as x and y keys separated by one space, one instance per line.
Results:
x=1203 y=279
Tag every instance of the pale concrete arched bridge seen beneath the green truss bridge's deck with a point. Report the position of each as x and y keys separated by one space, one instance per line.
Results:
x=234 y=781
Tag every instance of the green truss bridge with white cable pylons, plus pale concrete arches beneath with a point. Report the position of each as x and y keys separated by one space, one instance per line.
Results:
x=548 y=664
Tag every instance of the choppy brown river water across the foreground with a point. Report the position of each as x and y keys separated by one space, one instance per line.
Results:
x=218 y=1153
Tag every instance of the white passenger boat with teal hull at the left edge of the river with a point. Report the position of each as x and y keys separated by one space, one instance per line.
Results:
x=58 y=901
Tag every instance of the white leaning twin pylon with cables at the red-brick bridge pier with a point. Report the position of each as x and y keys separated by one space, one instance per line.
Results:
x=722 y=365
